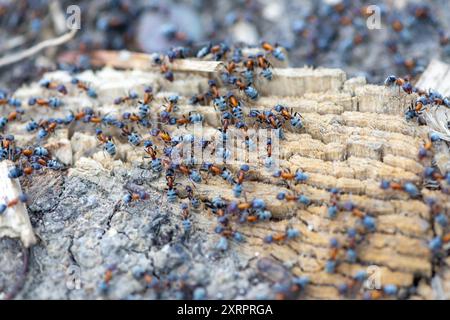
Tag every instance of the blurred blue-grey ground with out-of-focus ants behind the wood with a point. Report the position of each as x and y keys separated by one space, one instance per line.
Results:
x=331 y=33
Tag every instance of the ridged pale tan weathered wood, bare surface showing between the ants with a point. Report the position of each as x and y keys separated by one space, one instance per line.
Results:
x=354 y=136
